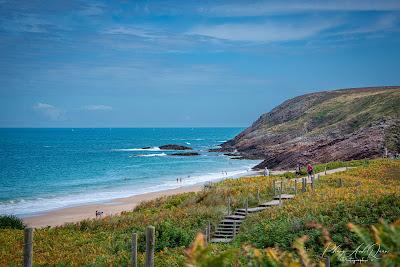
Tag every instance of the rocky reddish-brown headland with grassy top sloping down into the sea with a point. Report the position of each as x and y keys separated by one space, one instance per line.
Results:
x=325 y=126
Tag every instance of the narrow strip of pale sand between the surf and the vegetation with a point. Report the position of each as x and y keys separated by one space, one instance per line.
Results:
x=61 y=216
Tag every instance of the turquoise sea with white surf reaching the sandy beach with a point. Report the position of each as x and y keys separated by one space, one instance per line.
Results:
x=46 y=169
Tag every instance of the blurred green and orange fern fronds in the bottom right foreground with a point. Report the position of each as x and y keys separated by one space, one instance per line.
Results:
x=380 y=247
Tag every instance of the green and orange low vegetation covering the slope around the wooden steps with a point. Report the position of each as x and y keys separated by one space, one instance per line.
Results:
x=299 y=230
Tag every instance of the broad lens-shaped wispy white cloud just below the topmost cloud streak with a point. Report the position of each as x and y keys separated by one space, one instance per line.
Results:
x=264 y=32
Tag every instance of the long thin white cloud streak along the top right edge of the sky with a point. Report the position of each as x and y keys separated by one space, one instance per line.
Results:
x=260 y=8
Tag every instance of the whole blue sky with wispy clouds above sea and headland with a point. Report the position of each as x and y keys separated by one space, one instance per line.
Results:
x=71 y=63
